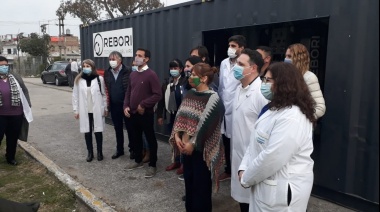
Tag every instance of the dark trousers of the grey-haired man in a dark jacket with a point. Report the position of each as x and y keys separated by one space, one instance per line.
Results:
x=118 y=117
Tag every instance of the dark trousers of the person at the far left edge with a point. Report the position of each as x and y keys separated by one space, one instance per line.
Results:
x=10 y=126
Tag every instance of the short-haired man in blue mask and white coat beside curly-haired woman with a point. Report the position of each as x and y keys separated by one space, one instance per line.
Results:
x=247 y=105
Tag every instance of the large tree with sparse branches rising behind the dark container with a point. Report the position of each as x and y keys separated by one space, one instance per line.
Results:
x=91 y=10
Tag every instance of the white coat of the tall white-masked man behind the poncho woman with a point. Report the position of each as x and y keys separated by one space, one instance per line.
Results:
x=227 y=87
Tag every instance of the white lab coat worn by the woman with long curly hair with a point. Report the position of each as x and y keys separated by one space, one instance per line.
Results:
x=279 y=156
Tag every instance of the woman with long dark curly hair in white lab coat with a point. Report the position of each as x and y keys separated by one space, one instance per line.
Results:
x=277 y=166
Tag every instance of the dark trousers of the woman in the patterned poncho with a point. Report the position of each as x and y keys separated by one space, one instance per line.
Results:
x=198 y=183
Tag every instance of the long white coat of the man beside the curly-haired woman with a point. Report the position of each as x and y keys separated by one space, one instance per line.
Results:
x=248 y=103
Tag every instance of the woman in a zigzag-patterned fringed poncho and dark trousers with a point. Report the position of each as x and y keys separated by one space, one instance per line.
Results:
x=196 y=134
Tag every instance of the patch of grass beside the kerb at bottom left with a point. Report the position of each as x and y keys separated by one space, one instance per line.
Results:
x=29 y=181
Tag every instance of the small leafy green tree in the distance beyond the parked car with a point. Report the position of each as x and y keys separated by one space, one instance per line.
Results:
x=36 y=45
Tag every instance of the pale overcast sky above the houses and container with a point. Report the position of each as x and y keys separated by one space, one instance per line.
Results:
x=28 y=15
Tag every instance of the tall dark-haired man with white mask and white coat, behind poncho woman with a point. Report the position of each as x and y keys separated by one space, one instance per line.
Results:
x=226 y=91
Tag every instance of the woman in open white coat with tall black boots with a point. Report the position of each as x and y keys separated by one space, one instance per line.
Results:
x=90 y=106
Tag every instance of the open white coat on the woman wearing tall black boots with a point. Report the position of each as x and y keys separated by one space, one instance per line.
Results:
x=99 y=102
